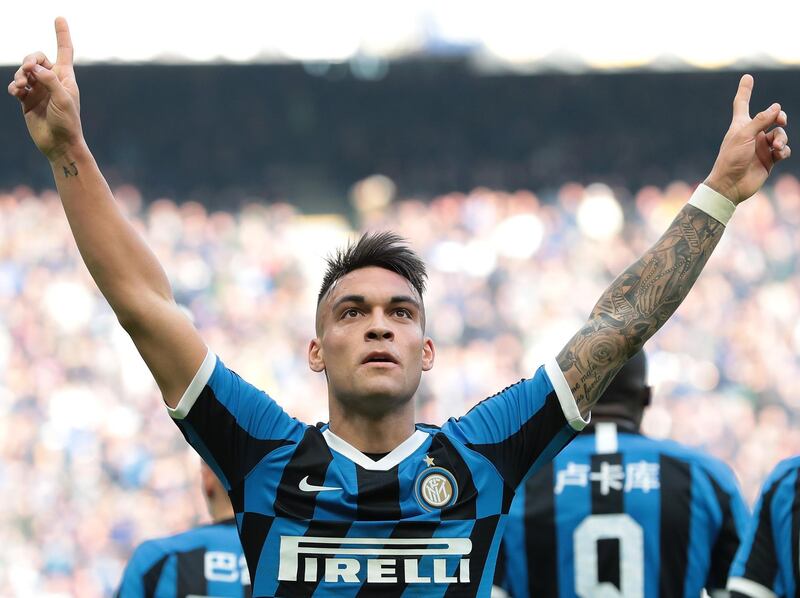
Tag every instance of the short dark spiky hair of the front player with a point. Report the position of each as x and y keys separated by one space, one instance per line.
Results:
x=384 y=249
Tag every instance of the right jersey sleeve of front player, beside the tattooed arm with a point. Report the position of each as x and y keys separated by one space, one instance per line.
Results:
x=523 y=426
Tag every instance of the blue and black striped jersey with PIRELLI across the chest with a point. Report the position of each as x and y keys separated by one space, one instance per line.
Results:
x=318 y=517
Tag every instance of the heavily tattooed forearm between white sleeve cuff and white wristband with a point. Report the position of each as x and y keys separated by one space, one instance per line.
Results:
x=638 y=303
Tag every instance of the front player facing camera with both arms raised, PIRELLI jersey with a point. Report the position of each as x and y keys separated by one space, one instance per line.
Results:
x=370 y=499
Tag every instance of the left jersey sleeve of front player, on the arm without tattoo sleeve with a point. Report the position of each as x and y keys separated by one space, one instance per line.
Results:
x=230 y=423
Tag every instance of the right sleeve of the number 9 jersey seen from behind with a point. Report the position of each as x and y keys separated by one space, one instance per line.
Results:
x=733 y=526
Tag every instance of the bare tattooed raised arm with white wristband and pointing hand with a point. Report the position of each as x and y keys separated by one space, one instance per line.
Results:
x=643 y=297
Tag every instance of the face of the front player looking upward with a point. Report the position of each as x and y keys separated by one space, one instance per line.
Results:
x=370 y=341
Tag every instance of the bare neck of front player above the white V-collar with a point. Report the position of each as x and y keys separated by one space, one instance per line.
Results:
x=371 y=433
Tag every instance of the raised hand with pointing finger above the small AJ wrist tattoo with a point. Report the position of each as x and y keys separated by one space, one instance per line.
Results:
x=49 y=97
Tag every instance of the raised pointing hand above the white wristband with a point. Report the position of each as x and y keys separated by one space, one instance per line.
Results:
x=750 y=148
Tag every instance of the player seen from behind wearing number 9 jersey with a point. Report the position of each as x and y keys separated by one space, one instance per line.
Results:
x=620 y=514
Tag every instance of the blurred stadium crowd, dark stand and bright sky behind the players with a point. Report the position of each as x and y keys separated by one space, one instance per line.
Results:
x=528 y=153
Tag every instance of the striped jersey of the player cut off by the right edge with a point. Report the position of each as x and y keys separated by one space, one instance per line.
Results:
x=767 y=562
